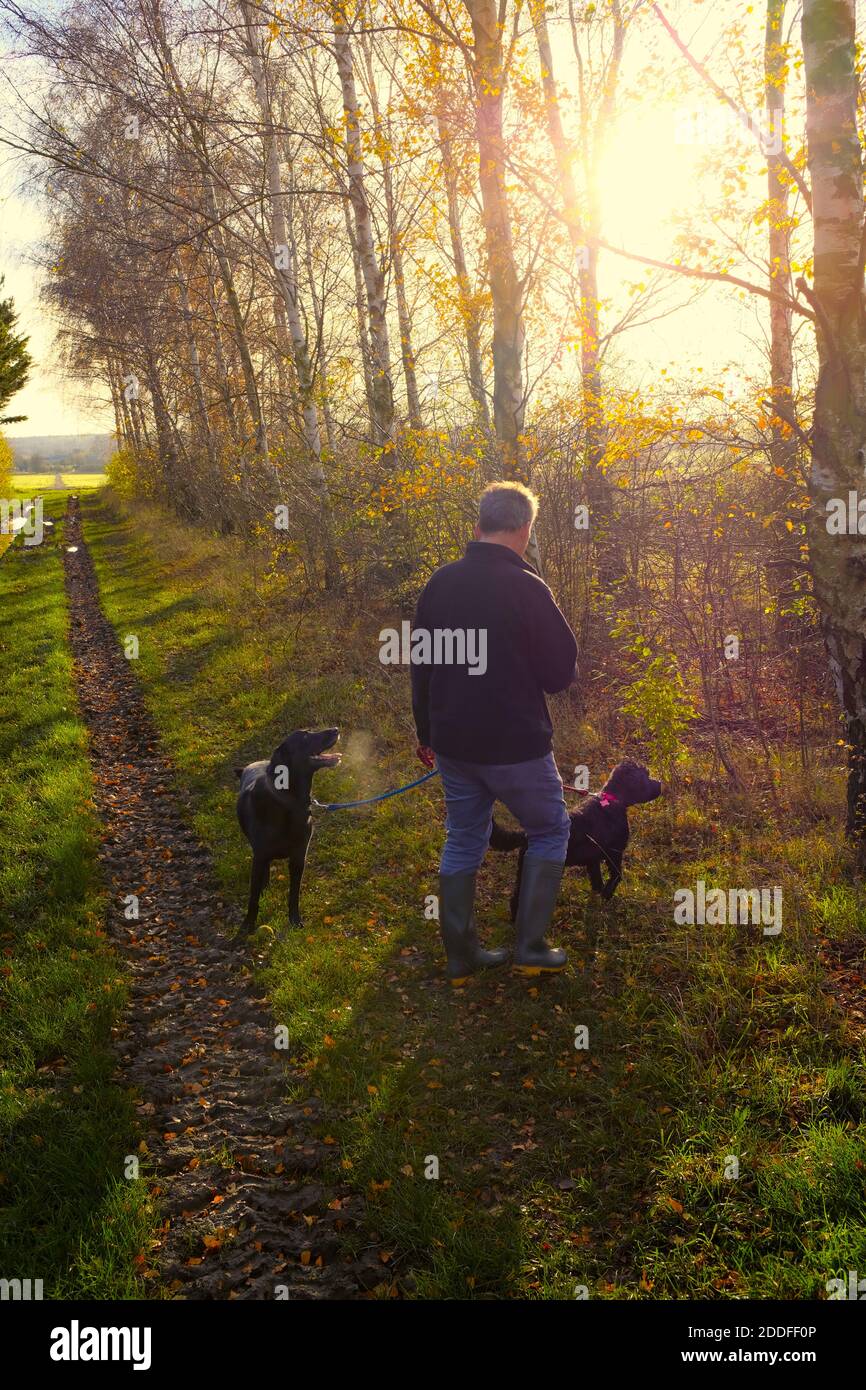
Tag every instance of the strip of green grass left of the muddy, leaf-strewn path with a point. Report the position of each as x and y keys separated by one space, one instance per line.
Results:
x=67 y=1214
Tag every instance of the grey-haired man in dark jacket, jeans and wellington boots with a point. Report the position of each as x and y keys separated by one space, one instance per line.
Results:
x=487 y=726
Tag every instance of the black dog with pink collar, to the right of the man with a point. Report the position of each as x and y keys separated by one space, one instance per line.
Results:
x=600 y=831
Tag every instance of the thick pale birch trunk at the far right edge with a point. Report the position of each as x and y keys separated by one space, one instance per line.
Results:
x=839 y=437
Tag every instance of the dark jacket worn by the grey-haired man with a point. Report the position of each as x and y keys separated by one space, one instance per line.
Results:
x=503 y=715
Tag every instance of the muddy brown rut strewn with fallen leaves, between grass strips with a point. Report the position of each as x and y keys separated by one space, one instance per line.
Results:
x=237 y=1168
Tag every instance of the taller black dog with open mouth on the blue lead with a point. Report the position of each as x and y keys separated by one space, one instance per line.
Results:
x=275 y=812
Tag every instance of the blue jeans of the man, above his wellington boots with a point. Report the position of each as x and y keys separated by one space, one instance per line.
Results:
x=533 y=792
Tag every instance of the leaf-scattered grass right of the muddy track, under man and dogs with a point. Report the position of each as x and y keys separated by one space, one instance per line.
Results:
x=558 y=1168
